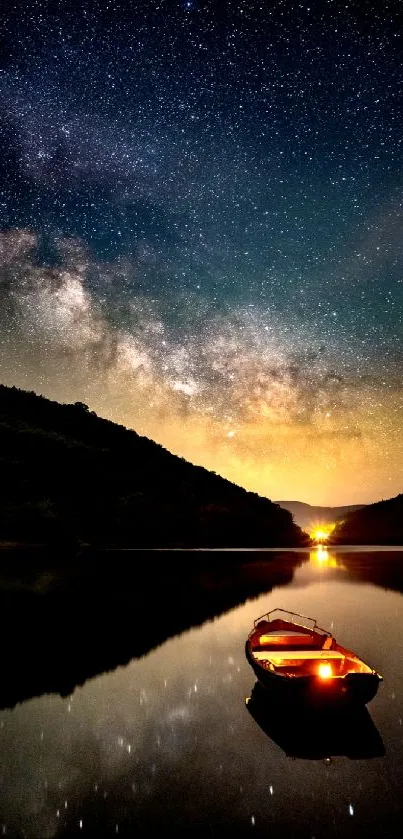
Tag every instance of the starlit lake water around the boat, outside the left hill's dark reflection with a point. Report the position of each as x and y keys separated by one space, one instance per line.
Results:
x=166 y=744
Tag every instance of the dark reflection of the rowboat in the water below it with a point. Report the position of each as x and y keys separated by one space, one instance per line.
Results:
x=311 y=734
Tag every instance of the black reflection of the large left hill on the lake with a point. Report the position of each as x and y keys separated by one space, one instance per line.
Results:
x=72 y=621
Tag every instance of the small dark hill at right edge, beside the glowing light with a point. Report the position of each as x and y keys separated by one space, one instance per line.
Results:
x=375 y=524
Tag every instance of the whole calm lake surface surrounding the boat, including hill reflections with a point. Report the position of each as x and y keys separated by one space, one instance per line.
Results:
x=166 y=743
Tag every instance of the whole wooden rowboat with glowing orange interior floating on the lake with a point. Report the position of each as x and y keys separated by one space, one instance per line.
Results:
x=294 y=658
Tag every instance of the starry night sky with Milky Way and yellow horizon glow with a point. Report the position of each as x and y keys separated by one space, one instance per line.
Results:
x=201 y=230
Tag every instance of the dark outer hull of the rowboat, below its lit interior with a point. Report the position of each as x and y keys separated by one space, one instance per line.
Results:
x=352 y=689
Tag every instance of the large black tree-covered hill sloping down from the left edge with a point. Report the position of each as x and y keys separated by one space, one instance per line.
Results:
x=71 y=476
